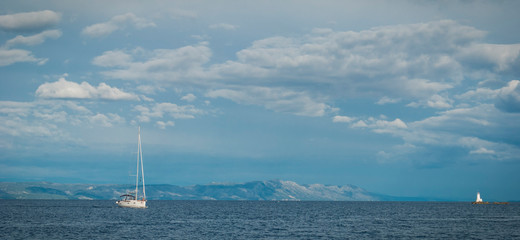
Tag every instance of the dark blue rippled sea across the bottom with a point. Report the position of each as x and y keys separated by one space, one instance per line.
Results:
x=169 y=219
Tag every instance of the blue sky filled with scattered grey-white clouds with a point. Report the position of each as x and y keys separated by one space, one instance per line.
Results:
x=404 y=98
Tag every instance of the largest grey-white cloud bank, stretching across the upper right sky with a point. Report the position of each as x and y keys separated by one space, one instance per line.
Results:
x=395 y=51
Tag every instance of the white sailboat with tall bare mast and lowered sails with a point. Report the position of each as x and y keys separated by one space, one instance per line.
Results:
x=131 y=199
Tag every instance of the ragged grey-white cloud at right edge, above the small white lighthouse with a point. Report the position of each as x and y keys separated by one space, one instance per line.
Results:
x=481 y=130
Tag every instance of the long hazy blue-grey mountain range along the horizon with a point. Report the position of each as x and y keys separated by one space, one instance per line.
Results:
x=257 y=190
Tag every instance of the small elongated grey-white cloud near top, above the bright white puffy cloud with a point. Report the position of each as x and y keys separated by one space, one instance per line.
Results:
x=116 y=23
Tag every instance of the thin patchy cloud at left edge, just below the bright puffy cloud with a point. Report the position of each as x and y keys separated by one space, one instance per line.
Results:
x=33 y=123
